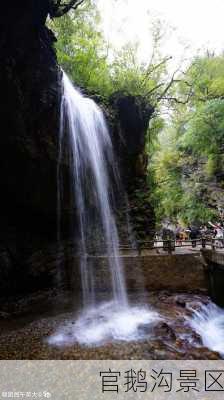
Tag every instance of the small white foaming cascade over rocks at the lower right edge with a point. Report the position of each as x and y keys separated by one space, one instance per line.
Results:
x=208 y=322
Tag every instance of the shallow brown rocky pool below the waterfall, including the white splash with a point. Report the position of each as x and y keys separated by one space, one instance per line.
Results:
x=159 y=326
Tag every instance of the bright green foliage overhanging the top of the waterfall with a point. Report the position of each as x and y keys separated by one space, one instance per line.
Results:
x=94 y=64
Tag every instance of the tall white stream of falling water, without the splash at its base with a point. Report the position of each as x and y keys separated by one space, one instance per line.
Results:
x=91 y=156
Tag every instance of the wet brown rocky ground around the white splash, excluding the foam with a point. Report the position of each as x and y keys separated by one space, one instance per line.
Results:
x=27 y=323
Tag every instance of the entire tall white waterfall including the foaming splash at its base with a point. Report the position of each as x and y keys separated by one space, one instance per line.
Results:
x=92 y=166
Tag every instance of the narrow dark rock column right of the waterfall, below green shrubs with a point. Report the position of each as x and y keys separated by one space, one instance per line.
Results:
x=132 y=115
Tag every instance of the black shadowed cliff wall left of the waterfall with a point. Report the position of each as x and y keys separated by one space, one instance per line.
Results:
x=30 y=91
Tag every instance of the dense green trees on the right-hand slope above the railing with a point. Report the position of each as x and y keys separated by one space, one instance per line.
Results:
x=188 y=160
